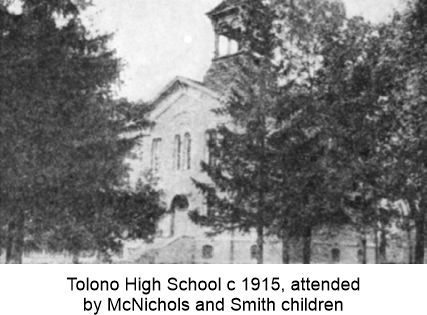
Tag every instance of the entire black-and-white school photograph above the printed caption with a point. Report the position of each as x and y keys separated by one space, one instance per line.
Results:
x=213 y=131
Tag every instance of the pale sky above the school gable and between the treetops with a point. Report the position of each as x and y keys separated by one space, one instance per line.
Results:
x=158 y=40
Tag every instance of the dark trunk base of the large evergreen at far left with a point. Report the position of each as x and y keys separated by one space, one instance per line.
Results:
x=15 y=239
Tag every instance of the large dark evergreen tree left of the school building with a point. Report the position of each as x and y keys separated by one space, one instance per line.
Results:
x=62 y=143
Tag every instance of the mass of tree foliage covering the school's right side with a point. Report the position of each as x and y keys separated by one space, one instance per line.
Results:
x=338 y=134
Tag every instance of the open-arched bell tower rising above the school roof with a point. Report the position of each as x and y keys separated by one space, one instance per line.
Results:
x=228 y=23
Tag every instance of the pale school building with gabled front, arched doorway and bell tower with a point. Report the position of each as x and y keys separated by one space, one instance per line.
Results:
x=172 y=152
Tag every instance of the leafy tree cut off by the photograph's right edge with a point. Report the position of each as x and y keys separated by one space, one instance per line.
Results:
x=409 y=100
